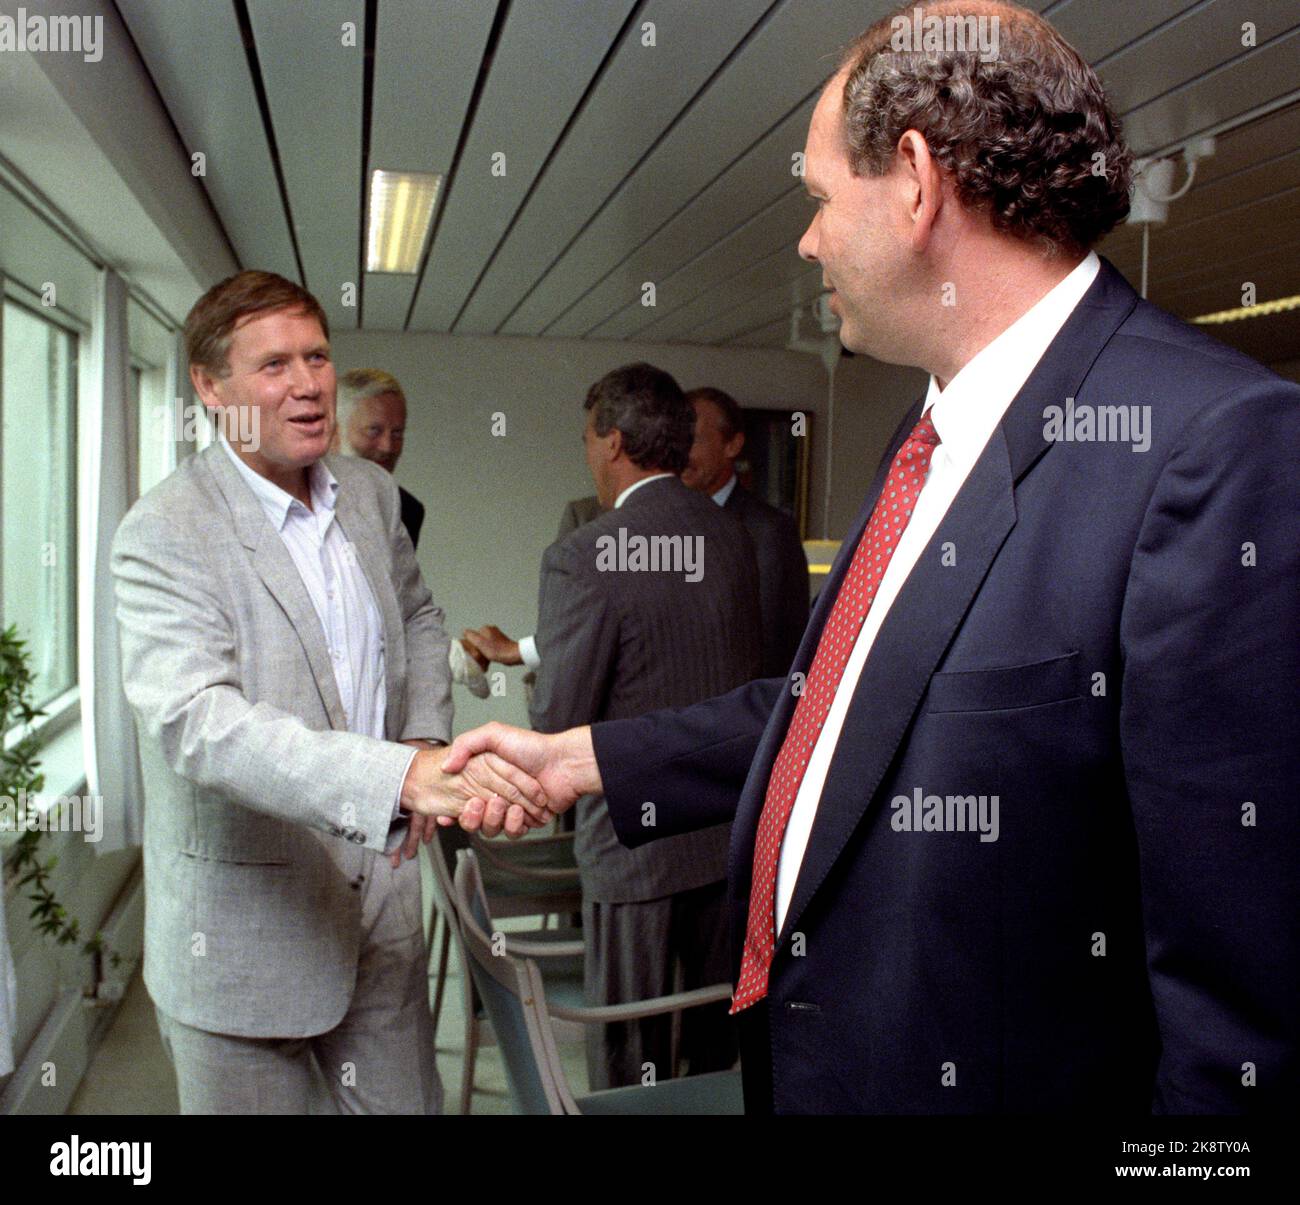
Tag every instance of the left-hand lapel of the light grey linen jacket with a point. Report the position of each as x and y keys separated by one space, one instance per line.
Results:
x=280 y=575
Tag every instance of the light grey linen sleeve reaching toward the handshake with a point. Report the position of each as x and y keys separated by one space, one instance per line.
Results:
x=181 y=675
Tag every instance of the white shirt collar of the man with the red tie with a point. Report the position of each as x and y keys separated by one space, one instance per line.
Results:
x=974 y=402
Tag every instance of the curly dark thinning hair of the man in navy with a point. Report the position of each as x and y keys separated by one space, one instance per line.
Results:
x=1029 y=136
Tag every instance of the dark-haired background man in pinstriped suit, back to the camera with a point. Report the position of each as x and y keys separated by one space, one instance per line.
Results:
x=619 y=639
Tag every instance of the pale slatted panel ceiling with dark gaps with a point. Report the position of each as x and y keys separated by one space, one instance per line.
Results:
x=669 y=163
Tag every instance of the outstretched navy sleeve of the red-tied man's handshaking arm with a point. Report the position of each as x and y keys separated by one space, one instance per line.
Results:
x=692 y=762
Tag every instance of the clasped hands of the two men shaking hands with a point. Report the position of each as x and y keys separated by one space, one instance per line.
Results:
x=497 y=779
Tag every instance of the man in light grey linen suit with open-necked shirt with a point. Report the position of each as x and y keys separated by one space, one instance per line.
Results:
x=288 y=671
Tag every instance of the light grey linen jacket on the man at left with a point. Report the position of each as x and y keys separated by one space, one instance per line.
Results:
x=262 y=810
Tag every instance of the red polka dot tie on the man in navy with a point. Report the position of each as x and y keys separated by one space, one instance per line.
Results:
x=857 y=592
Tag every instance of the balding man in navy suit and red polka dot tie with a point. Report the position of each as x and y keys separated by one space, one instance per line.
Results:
x=1019 y=831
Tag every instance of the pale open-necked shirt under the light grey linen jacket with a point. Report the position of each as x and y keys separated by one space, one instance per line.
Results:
x=339 y=590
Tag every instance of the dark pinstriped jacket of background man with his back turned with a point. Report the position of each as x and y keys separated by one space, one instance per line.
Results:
x=618 y=644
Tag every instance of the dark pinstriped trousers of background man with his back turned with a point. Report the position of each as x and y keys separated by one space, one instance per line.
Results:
x=634 y=952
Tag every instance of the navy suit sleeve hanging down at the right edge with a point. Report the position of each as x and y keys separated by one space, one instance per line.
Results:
x=1211 y=735
